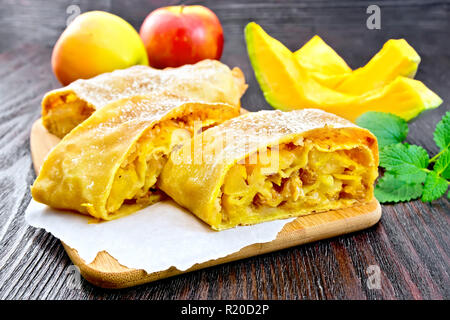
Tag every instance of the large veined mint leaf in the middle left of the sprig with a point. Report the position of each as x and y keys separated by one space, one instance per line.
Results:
x=407 y=162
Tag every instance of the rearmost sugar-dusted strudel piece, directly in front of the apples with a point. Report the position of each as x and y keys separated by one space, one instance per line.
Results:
x=207 y=81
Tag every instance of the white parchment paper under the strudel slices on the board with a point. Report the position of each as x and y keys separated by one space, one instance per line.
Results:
x=153 y=239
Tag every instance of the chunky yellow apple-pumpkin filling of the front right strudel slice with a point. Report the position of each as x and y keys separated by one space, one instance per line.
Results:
x=292 y=178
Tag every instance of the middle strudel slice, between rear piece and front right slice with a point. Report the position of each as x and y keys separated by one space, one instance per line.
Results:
x=81 y=171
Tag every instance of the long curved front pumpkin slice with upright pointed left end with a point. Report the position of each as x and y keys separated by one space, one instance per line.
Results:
x=287 y=85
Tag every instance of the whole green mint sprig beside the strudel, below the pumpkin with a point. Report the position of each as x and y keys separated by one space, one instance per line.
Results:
x=409 y=171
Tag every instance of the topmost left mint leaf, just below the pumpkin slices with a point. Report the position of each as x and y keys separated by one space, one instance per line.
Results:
x=387 y=127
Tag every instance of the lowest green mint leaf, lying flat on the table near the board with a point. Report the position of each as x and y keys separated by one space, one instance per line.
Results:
x=392 y=189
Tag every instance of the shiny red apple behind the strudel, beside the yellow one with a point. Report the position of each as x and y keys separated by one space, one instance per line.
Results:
x=178 y=35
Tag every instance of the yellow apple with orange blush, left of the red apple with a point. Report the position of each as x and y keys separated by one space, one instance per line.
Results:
x=96 y=42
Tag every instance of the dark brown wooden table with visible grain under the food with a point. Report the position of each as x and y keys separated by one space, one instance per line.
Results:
x=410 y=245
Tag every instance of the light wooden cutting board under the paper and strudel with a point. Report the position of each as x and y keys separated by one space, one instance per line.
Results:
x=105 y=271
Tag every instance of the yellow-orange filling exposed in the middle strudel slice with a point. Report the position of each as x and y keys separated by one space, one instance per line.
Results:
x=133 y=186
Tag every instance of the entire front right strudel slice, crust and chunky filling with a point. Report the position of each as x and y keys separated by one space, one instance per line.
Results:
x=271 y=165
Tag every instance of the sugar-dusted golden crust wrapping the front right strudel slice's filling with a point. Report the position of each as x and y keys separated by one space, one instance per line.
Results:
x=194 y=175
